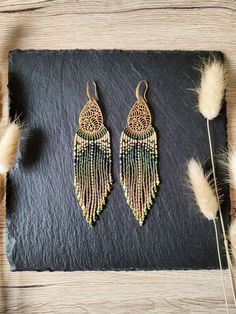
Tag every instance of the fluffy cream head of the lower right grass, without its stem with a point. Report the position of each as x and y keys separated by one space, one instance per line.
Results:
x=202 y=189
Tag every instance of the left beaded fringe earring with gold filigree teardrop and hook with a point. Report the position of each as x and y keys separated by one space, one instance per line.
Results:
x=92 y=159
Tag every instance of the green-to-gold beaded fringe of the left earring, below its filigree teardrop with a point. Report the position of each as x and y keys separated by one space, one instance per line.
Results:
x=92 y=171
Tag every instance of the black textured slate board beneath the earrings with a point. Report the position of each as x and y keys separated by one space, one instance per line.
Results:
x=45 y=227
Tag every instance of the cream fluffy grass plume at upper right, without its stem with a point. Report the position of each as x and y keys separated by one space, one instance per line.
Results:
x=212 y=88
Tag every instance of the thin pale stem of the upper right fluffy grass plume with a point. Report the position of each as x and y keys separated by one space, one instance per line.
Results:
x=220 y=213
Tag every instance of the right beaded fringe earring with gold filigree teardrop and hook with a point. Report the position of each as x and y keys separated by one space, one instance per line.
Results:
x=138 y=158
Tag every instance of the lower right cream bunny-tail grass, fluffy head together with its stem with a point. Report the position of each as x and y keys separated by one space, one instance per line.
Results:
x=207 y=202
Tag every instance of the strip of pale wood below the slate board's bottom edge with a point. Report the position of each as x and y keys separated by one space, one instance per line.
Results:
x=116 y=292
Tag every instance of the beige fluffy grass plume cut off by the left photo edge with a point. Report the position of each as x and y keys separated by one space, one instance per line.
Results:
x=8 y=146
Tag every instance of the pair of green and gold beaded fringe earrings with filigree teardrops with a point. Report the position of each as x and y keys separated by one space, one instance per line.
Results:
x=138 y=158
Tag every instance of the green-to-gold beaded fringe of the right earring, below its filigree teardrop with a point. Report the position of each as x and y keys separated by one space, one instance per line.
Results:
x=139 y=173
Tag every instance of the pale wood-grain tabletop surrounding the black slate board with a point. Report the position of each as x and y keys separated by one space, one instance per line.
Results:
x=123 y=24
